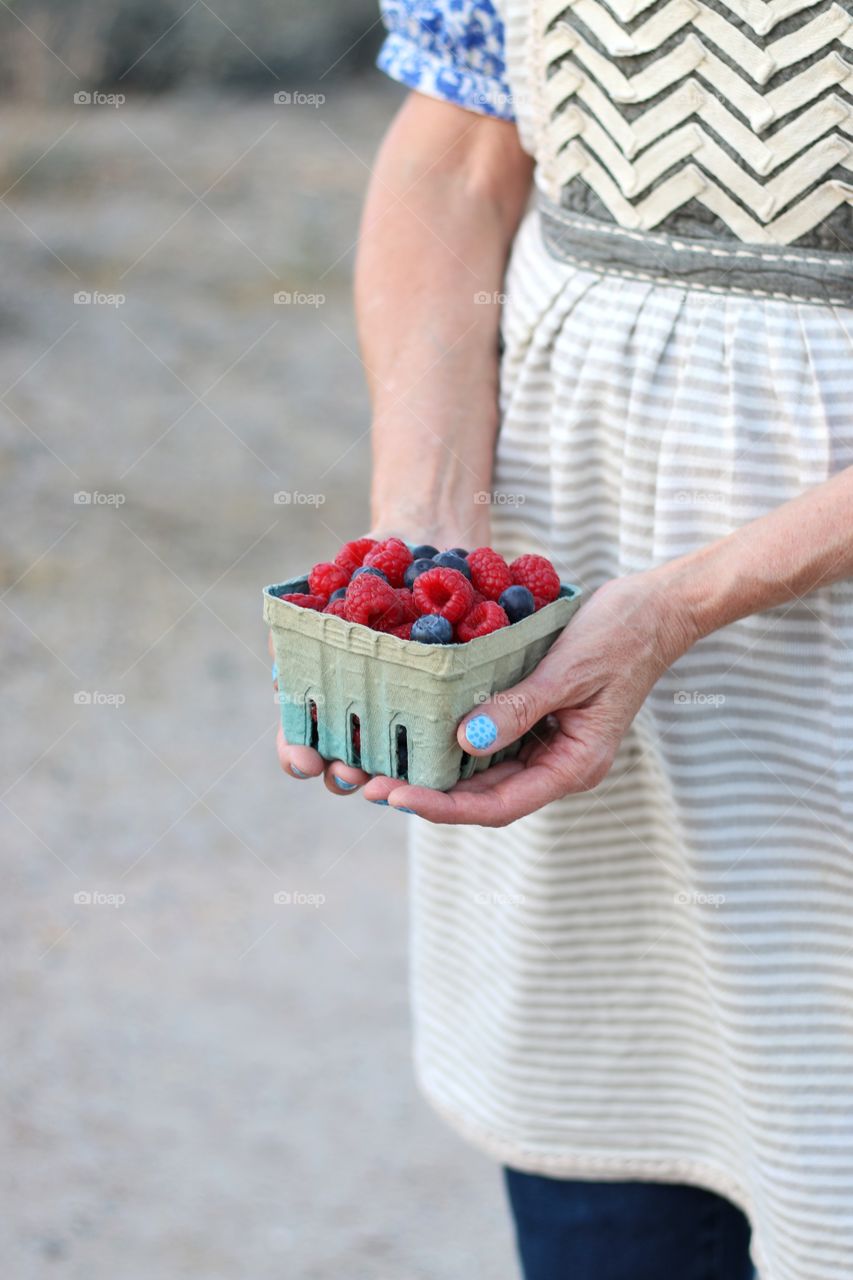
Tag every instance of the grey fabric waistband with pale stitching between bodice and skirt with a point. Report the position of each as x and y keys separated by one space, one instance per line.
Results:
x=764 y=271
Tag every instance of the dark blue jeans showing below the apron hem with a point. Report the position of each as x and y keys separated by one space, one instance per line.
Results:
x=572 y=1231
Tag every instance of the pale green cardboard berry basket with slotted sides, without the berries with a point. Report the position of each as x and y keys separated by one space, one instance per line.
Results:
x=393 y=706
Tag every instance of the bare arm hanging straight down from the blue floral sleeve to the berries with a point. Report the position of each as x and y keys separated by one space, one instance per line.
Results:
x=445 y=202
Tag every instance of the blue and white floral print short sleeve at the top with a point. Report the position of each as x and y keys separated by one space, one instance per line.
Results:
x=449 y=49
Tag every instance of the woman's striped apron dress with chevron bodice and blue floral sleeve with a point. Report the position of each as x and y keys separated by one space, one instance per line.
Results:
x=655 y=980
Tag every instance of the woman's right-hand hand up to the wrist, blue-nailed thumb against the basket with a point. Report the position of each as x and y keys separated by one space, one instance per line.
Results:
x=580 y=702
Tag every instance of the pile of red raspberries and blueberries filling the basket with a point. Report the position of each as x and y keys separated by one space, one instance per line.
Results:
x=428 y=596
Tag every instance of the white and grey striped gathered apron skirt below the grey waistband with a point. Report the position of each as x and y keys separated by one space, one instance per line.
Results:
x=655 y=981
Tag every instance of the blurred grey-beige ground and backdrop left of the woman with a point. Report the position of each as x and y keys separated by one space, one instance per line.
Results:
x=200 y=1081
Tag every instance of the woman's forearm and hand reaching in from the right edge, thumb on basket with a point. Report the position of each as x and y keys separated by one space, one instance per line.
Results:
x=600 y=671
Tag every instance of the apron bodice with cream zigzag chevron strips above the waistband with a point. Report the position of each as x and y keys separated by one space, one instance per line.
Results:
x=723 y=118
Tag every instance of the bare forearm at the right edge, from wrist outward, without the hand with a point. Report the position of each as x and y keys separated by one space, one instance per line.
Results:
x=804 y=545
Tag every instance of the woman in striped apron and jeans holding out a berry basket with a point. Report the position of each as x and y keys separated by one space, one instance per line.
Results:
x=633 y=953
